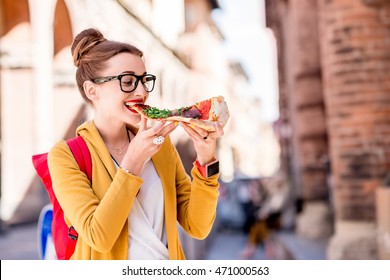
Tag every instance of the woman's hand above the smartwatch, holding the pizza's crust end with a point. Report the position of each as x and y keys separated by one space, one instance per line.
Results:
x=205 y=142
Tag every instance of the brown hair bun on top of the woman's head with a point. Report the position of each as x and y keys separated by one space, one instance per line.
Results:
x=84 y=42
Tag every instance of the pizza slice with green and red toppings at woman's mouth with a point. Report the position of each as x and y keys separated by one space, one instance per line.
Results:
x=202 y=114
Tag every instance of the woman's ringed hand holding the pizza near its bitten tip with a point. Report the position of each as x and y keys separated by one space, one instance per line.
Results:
x=142 y=148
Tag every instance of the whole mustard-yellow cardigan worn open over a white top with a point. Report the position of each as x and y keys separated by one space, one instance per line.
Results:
x=99 y=212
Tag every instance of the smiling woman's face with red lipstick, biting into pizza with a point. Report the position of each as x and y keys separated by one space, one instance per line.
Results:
x=110 y=100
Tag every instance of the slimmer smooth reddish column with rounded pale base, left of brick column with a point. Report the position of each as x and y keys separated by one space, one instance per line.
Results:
x=305 y=98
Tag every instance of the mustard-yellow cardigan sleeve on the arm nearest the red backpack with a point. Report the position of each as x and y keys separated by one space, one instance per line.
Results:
x=98 y=221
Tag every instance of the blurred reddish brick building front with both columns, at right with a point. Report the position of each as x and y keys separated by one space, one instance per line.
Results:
x=334 y=69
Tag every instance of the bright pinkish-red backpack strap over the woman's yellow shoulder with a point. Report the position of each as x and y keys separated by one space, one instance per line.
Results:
x=82 y=155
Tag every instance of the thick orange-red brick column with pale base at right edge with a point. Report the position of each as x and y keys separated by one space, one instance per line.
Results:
x=355 y=52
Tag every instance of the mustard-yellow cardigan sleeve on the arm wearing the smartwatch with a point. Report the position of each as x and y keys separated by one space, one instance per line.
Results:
x=196 y=200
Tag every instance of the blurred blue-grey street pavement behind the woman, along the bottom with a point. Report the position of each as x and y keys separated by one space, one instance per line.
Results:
x=20 y=243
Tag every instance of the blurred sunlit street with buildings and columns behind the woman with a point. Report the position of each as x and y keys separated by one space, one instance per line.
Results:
x=307 y=144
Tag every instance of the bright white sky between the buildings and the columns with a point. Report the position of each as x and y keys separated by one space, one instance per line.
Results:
x=250 y=42
